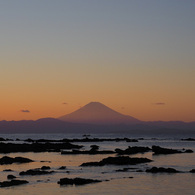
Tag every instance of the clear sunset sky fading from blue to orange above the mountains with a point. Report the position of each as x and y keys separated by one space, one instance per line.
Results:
x=137 y=57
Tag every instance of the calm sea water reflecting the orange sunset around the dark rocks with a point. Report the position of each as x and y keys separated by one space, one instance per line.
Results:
x=119 y=182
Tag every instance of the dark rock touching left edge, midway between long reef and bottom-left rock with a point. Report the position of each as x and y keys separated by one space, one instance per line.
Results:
x=9 y=160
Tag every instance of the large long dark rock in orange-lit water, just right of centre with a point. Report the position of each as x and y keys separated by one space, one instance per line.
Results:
x=121 y=160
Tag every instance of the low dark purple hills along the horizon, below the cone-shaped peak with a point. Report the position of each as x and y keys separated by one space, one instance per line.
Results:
x=52 y=125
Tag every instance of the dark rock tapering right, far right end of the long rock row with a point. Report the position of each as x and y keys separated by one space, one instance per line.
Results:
x=160 y=150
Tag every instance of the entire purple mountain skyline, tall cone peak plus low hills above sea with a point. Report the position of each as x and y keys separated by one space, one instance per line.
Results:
x=98 y=118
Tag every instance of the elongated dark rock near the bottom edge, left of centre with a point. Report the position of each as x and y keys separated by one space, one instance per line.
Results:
x=76 y=181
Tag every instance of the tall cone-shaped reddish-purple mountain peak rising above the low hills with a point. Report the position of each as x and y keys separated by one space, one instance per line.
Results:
x=98 y=113
